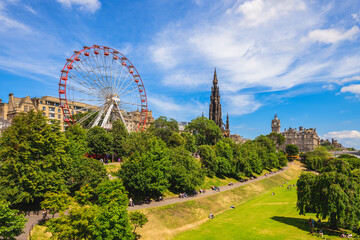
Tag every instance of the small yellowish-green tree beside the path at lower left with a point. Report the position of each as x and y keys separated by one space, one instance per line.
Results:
x=56 y=202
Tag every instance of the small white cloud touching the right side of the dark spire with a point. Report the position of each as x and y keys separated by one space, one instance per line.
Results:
x=241 y=104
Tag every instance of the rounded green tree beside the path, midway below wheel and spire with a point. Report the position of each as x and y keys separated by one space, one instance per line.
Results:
x=186 y=173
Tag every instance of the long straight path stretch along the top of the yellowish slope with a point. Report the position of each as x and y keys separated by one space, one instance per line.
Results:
x=208 y=192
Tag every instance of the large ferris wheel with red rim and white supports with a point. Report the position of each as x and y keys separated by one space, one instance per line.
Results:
x=99 y=85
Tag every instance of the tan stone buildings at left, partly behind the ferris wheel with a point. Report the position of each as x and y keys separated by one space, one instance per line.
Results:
x=50 y=106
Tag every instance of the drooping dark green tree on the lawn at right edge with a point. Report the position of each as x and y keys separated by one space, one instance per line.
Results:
x=332 y=195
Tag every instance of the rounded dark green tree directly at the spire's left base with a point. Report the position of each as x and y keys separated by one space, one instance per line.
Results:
x=205 y=131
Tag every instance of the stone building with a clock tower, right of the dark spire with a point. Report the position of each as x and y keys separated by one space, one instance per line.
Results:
x=305 y=139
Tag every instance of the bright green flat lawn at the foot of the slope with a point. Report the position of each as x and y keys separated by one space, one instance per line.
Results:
x=265 y=217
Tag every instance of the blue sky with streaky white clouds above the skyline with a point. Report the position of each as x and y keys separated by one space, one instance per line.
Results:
x=297 y=58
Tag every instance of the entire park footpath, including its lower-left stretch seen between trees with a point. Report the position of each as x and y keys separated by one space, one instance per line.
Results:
x=34 y=217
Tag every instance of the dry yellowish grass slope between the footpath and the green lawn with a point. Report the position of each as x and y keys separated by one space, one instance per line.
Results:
x=167 y=221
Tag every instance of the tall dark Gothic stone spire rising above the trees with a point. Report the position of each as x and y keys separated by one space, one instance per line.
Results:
x=215 y=108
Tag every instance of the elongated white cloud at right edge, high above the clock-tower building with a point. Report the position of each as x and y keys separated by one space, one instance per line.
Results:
x=333 y=35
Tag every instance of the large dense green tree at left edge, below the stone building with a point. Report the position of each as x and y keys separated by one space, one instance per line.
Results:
x=33 y=159
